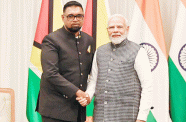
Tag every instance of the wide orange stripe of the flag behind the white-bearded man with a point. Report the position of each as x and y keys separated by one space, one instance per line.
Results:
x=151 y=8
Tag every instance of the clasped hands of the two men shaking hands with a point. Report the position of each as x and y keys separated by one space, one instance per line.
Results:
x=83 y=98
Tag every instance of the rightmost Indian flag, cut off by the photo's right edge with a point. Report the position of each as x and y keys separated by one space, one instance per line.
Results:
x=177 y=67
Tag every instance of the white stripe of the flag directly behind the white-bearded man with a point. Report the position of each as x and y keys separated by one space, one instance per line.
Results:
x=140 y=32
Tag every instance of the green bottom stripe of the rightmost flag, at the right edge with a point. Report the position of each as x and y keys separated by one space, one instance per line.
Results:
x=177 y=94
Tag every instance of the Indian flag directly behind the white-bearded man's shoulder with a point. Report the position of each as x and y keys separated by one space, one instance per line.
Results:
x=146 y=29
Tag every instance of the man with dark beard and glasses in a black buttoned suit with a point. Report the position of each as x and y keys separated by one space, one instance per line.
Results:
x=66 y=60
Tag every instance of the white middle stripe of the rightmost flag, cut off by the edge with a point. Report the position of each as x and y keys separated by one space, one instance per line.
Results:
x=179 y=38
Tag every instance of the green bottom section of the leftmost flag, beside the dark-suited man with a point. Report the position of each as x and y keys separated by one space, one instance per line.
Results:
x=32 y=95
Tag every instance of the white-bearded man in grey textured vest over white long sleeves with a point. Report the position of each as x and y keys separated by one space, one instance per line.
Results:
x=120 y=78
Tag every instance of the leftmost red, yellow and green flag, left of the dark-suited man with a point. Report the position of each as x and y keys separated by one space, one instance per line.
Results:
x=35 y=69
